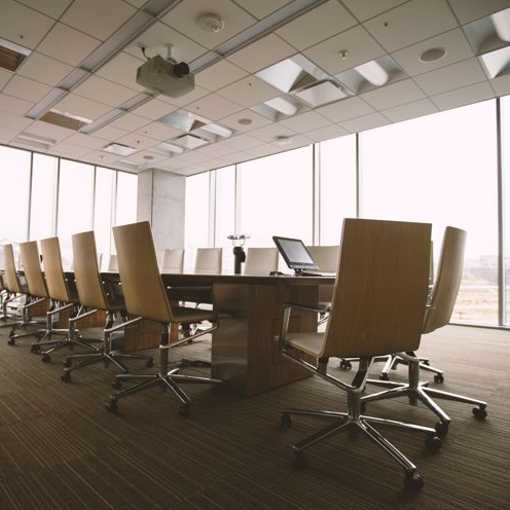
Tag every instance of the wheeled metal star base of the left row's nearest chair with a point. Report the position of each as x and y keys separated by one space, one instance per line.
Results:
x=168 y=380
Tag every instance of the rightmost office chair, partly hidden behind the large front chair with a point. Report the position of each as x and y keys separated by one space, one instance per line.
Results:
x=437 y=315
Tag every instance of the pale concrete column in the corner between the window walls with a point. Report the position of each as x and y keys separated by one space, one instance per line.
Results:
x=161 y=198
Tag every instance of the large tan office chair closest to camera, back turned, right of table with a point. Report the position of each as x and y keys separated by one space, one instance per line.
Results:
x=377 y=308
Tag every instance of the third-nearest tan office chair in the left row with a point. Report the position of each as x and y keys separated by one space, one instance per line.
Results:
x=63 y=298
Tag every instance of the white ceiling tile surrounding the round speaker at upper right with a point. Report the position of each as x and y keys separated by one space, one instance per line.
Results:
x=454 y=42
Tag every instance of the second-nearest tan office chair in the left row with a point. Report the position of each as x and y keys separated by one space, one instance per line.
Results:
x=93 y=298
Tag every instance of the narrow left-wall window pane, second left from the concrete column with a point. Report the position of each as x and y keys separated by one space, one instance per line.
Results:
x=103 y=210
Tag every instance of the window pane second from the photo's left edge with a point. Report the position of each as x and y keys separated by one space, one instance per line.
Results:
x=44 y=196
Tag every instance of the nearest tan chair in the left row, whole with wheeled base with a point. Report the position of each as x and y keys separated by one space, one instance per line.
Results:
x=146 y=298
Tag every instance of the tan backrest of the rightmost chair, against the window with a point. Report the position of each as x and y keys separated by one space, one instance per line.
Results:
x=449 y=276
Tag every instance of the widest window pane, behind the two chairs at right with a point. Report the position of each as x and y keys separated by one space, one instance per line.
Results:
x=442 y=169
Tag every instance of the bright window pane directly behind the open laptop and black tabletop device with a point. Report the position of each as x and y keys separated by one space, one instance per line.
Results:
x=276 y=197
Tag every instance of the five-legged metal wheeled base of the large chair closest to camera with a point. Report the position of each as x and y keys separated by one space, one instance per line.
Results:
x=352 y=422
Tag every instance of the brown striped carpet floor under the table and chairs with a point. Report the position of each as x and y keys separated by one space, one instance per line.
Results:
x=60 y=449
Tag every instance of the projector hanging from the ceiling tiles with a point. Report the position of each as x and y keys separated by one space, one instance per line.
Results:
x=166 y=77
